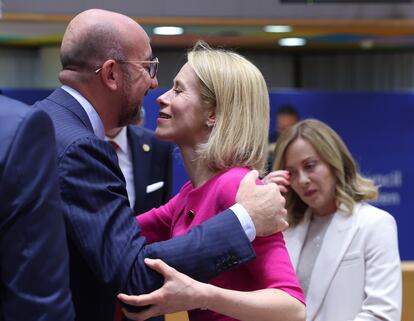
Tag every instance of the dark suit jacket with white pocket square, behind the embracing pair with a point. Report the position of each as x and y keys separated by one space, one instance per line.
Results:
x=152 y=163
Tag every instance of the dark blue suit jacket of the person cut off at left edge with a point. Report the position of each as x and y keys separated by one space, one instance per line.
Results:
x=34 y=266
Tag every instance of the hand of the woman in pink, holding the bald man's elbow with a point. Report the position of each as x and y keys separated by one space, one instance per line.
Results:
x=179 y=293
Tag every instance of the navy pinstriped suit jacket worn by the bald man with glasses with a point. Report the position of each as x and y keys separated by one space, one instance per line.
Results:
x=106 y=249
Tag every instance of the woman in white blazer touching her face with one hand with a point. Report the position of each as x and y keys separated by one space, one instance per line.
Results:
x=344 y=250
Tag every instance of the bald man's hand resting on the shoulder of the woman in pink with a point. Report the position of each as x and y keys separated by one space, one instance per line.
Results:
x=264 y=203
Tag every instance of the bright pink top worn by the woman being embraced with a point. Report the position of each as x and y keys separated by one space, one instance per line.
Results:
x=271 y=268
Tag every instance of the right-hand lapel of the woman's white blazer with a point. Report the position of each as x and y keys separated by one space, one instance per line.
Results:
x=337 y=239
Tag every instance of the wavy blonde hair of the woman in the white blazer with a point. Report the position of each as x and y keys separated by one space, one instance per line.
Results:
x=351 y=187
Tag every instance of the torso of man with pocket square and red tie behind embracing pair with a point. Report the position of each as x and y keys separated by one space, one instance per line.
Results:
x=146 y=163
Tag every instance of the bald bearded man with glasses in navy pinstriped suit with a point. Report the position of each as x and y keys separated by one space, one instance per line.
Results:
x=107 y=70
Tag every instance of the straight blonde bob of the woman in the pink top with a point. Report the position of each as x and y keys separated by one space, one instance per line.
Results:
x=237 y=91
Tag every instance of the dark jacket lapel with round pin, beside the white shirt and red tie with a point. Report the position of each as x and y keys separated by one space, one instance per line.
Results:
x=140 y=162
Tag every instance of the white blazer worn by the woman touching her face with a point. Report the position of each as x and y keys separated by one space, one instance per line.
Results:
x=357 y=274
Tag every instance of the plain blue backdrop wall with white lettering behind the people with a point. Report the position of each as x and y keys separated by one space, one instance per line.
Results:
x=377 y=127
